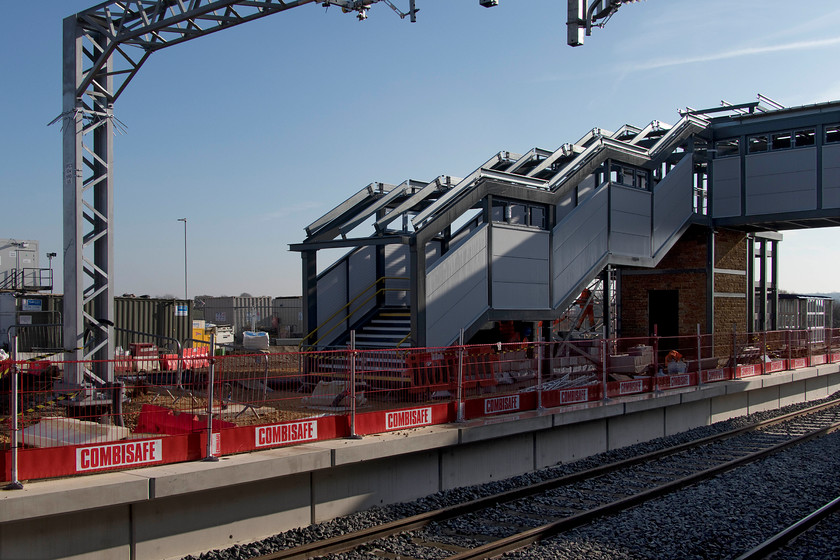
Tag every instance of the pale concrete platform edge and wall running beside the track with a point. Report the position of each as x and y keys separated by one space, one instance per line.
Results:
x=175 y=510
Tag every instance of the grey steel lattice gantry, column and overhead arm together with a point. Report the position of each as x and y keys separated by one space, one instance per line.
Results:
x=104 y=48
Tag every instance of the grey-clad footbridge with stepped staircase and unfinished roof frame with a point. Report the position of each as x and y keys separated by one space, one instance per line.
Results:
x=521 y=236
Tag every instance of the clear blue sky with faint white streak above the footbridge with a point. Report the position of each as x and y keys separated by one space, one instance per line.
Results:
x=254 y=132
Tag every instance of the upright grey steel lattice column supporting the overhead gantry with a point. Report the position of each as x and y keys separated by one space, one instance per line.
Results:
x=88 y=212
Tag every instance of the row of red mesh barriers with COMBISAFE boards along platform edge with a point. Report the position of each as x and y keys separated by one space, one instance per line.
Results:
x=262 y=401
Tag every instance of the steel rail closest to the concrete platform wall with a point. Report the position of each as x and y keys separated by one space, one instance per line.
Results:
x=349 y=541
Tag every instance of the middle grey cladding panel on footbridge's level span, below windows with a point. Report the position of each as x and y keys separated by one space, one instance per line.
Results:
x=781 y=181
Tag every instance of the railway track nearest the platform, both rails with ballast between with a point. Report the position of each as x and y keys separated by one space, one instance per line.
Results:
x=490 y=526
